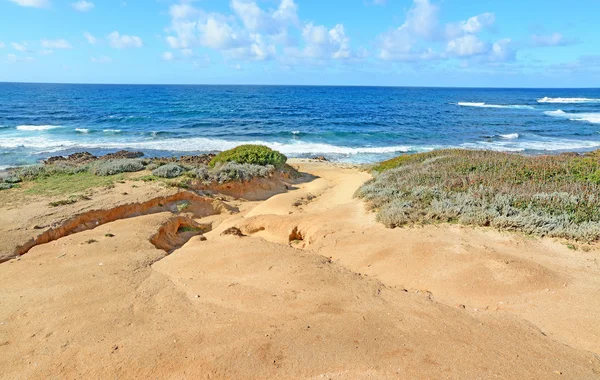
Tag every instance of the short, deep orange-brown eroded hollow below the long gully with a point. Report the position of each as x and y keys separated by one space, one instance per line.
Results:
x=176 y=232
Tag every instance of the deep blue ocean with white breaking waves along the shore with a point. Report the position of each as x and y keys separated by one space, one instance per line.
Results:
x=350 y=124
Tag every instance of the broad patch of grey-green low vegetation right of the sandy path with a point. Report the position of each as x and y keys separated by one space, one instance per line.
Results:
x=556 y=196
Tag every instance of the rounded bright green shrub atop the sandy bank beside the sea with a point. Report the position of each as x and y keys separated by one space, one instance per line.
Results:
x=250 y=154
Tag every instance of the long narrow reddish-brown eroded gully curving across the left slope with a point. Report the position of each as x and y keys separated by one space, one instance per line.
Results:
x=182 y=202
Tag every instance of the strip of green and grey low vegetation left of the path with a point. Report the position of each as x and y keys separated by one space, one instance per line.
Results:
x=82 y=171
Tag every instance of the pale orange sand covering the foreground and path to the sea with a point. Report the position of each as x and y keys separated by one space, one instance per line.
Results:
x=316 y=289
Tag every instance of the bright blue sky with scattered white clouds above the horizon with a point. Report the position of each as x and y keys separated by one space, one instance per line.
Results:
x=456 y=43
